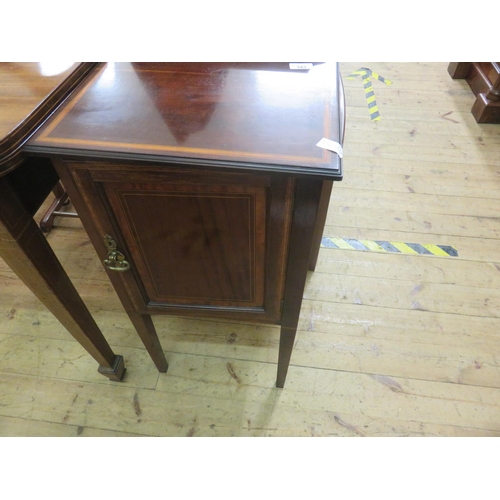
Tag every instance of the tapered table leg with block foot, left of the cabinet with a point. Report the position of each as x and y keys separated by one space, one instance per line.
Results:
x=27 y=252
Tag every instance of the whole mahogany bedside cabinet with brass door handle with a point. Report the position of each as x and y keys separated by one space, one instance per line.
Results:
x=201 y=186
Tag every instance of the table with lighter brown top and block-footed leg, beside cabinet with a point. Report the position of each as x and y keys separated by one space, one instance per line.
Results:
x=27 y=97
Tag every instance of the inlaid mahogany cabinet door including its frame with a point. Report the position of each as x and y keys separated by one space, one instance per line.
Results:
x=197 y=241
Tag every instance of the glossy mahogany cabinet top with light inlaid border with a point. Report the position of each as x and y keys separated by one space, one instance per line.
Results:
x=244 y=115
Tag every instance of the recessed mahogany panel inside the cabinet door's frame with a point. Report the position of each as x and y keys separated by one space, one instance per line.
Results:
x=195 y=244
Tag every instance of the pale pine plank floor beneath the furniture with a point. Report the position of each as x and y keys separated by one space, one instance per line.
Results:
x=389 y=344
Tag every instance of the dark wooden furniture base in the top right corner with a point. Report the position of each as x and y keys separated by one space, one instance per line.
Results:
x=484 y=80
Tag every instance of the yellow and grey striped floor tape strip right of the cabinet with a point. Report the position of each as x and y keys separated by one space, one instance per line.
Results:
x=389 y=246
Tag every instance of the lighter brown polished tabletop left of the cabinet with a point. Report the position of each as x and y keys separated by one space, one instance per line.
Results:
x=29 y=92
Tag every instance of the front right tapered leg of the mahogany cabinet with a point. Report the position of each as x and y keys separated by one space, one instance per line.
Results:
x=305 y=214
